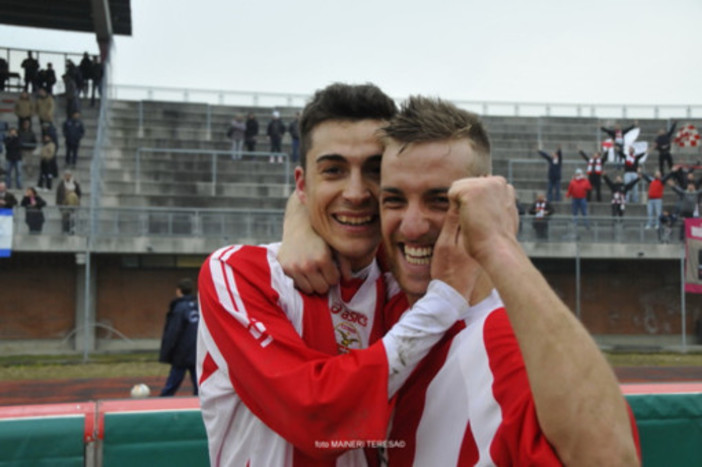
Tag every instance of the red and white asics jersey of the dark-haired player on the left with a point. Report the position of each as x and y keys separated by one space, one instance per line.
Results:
x=283 y=381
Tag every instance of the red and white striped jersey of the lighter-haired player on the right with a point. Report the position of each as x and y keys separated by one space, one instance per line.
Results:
x=468 y=402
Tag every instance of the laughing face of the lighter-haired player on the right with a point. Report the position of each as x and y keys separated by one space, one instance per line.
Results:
x=413 y=204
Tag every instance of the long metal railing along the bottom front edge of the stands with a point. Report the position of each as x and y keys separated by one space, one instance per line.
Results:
x=265 y=225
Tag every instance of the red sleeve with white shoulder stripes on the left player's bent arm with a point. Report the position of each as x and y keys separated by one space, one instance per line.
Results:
x=304 y=395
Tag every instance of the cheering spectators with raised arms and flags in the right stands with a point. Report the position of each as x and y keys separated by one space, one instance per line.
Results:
x=622 y=156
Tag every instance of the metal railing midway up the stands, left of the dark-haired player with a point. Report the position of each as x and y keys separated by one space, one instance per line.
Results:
x=214 y=156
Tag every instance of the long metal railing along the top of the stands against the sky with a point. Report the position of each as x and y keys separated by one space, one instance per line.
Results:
x=483 y=107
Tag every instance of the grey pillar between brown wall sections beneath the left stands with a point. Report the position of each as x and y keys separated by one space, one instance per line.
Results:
x=85 y=318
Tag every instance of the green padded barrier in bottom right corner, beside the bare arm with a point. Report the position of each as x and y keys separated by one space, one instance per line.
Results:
x=670 y=427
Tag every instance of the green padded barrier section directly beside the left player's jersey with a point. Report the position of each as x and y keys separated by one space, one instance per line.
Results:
x=172 y=438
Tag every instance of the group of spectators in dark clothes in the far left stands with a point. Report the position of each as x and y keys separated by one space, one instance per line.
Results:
x=31 y=146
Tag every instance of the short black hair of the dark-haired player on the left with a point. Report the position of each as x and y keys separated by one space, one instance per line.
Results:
x=345 y=102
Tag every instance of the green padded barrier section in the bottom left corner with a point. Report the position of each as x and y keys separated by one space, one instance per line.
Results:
x=45 y=441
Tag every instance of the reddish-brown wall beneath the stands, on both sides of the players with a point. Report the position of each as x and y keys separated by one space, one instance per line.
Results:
x=628 y=300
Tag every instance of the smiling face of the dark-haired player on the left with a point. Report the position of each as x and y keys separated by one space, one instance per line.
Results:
x=340 y=187
